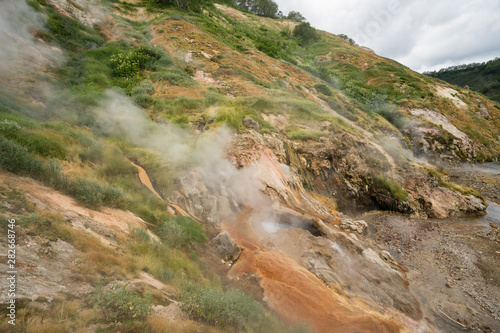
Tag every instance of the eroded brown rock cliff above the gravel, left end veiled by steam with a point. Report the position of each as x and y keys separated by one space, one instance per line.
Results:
x=343 y=172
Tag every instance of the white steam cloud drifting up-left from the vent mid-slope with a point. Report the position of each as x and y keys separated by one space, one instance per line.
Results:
x=208 y=179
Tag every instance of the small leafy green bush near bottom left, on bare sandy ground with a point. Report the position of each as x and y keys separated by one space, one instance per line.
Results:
x=120 y=304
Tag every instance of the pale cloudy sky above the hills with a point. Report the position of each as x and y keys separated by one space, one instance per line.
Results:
x=421 y=34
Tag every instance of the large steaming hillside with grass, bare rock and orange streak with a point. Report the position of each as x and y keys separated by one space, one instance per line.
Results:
x=190 y=170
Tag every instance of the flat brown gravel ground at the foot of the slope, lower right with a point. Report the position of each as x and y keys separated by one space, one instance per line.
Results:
x=454 y=263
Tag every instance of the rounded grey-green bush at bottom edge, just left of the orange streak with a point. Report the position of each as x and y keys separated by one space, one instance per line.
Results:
x=231 y=309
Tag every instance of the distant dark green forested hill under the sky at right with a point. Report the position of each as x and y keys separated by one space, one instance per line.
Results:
x=484 y=77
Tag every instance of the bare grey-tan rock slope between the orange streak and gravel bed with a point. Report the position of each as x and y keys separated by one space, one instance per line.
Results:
x=351 y=264
